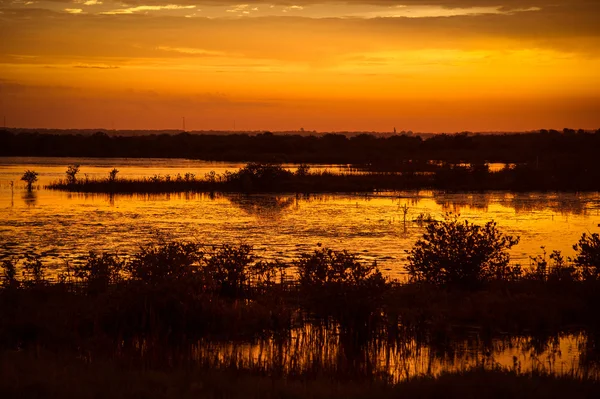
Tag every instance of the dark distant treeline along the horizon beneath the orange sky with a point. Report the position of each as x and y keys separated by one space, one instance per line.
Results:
x=397 y=152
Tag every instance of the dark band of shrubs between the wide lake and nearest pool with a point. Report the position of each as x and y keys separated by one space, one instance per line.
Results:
x=460 y=276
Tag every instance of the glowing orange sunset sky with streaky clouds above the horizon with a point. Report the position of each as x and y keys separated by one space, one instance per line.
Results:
x=421 y=65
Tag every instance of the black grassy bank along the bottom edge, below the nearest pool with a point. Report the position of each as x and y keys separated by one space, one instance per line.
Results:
x=45 y=375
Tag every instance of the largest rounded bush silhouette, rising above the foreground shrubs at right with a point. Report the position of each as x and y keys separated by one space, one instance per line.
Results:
x=462 y=254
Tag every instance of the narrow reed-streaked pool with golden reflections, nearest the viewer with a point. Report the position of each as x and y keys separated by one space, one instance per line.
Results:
x=327 y=350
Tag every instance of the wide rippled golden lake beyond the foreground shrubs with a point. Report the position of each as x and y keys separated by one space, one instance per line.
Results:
x=64 y=226
